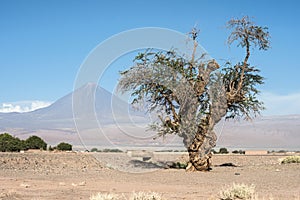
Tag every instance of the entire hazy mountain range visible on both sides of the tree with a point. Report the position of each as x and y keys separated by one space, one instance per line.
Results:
x=91 y=116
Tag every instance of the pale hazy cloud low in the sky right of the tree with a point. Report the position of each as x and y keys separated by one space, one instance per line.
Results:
x=281 y=104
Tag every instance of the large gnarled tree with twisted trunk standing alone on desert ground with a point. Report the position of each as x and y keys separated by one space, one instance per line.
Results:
x=191 y=94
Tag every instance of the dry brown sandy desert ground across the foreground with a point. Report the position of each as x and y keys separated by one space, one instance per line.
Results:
x=57 y=175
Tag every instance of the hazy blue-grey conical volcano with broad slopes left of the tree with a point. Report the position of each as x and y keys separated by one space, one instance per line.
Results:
x=88 y=116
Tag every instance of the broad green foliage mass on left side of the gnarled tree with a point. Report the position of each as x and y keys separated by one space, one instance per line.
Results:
x=150 y=67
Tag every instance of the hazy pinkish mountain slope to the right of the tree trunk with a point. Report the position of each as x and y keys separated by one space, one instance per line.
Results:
x=280 y=132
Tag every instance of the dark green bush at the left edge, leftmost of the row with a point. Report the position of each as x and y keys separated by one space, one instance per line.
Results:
x=9 y=143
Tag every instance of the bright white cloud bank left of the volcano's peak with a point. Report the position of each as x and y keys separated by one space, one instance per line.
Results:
x=23 y=106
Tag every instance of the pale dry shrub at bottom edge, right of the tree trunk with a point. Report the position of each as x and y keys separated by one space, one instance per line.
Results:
x=238 y=191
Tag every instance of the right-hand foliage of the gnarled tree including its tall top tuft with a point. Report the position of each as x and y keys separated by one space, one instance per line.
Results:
x=241 y=80
